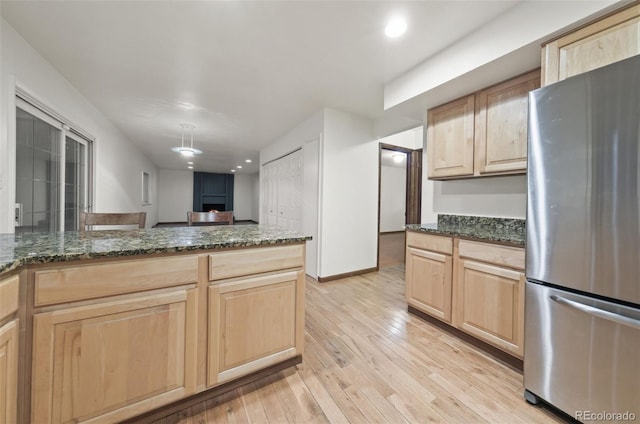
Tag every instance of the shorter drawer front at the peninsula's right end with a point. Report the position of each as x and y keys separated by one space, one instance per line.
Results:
x=253 y=261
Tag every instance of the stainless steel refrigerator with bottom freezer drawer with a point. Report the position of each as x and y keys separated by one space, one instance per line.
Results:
x=582 y=319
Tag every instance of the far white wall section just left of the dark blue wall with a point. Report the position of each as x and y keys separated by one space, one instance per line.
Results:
x=175 y=195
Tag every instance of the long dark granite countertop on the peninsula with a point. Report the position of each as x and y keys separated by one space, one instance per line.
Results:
x=17 y=250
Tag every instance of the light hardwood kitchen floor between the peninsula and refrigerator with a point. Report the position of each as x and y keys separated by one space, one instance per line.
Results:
x=368 y=360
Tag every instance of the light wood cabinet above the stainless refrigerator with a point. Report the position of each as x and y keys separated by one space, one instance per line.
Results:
x=611 y=39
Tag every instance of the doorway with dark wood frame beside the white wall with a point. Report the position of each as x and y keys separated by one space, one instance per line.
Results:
x=399 y=200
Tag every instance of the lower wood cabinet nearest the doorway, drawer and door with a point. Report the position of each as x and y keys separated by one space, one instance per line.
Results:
x=429 y=268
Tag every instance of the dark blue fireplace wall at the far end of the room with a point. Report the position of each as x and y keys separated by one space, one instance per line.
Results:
x=213 y=190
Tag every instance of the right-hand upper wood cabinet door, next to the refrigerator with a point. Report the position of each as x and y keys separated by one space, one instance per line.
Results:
x=501 y=125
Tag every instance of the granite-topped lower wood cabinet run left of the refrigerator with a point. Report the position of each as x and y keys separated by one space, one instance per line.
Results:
x=468 y=272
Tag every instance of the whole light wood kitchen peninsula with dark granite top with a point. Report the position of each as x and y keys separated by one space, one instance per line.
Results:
x=103 y=326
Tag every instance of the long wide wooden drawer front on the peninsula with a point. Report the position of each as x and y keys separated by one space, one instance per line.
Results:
x=100 y=280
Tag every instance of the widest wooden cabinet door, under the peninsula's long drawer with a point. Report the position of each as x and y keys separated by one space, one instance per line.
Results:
x=114 y=360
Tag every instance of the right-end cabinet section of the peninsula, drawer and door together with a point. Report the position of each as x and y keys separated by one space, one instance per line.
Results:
x=256 y=310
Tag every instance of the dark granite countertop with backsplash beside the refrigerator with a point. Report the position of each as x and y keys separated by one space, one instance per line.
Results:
x=501 y=230
